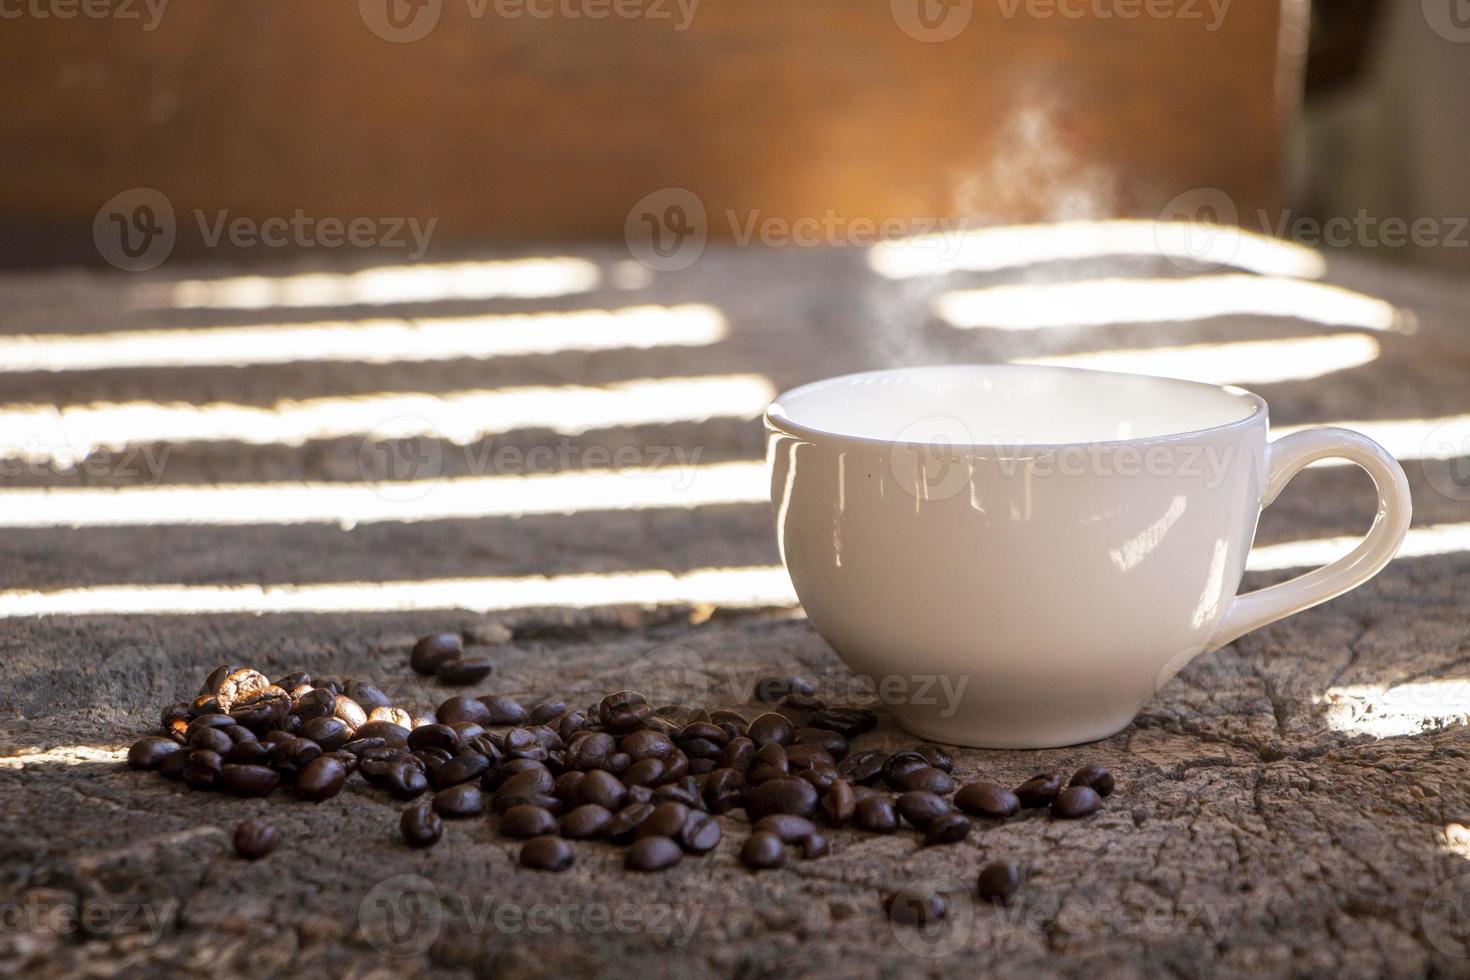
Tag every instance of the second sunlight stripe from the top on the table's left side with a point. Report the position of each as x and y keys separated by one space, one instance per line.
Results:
x=380 y=342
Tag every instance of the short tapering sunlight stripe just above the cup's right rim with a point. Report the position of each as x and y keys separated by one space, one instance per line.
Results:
x=1246 y=362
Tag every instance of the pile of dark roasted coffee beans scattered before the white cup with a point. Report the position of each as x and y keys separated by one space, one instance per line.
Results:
x=652 y=779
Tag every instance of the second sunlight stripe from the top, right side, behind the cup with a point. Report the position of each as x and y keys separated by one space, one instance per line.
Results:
x=1105 y=302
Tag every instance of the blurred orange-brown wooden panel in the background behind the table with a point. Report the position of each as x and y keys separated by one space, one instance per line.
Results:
x=540 y=130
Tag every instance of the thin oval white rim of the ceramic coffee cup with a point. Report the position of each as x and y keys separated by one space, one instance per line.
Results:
x=777 y=421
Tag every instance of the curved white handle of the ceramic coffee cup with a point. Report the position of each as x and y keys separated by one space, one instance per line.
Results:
x=1286 y=459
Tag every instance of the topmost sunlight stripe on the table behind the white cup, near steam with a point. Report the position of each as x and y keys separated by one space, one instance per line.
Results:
x=1015 y=246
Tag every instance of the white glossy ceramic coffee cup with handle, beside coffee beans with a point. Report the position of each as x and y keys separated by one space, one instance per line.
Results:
x=1021 y=558
